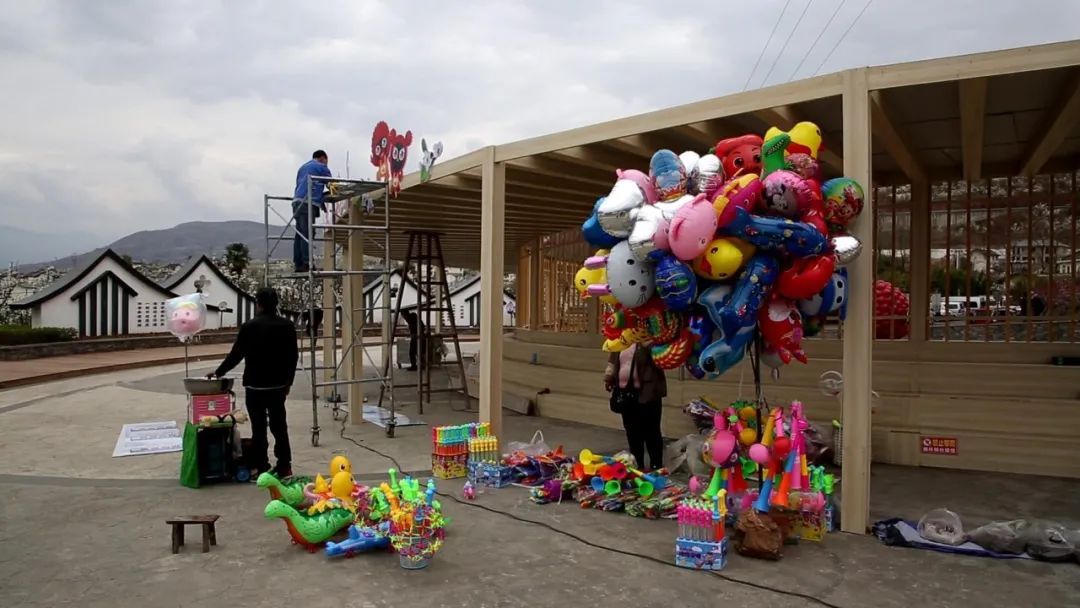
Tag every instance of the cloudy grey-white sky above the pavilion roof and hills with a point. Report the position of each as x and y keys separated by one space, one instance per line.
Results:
x=127 y=115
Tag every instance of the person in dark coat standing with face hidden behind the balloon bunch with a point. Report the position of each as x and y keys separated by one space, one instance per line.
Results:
x=642 y=424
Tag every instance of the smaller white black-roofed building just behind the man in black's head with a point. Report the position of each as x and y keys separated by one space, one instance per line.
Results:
x=201 y=275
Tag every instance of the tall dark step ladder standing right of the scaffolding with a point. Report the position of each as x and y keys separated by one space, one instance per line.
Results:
x=426 y=265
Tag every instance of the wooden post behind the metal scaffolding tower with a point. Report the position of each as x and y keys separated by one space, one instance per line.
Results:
x=353 y=319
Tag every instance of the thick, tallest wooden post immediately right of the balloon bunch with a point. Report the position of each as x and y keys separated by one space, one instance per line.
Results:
x=859 y=328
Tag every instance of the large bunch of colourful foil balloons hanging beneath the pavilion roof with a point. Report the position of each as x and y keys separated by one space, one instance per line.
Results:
x=704 y=254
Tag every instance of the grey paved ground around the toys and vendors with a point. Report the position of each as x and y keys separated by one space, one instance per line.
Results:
x=80 y=529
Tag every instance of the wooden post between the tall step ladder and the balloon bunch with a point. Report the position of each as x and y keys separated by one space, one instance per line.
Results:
x=493 y=211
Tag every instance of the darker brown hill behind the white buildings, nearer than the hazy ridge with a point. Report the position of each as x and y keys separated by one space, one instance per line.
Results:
x=179 y=244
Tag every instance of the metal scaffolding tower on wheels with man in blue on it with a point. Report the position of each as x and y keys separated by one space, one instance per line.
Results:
x=335 y=279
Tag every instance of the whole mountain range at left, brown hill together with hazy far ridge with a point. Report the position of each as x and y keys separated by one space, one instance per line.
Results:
x=174 y=245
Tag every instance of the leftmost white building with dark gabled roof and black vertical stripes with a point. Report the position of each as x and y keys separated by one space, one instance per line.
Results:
x=105 y=296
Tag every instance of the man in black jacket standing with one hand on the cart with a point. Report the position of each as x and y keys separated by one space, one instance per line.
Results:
x=267 y=345
